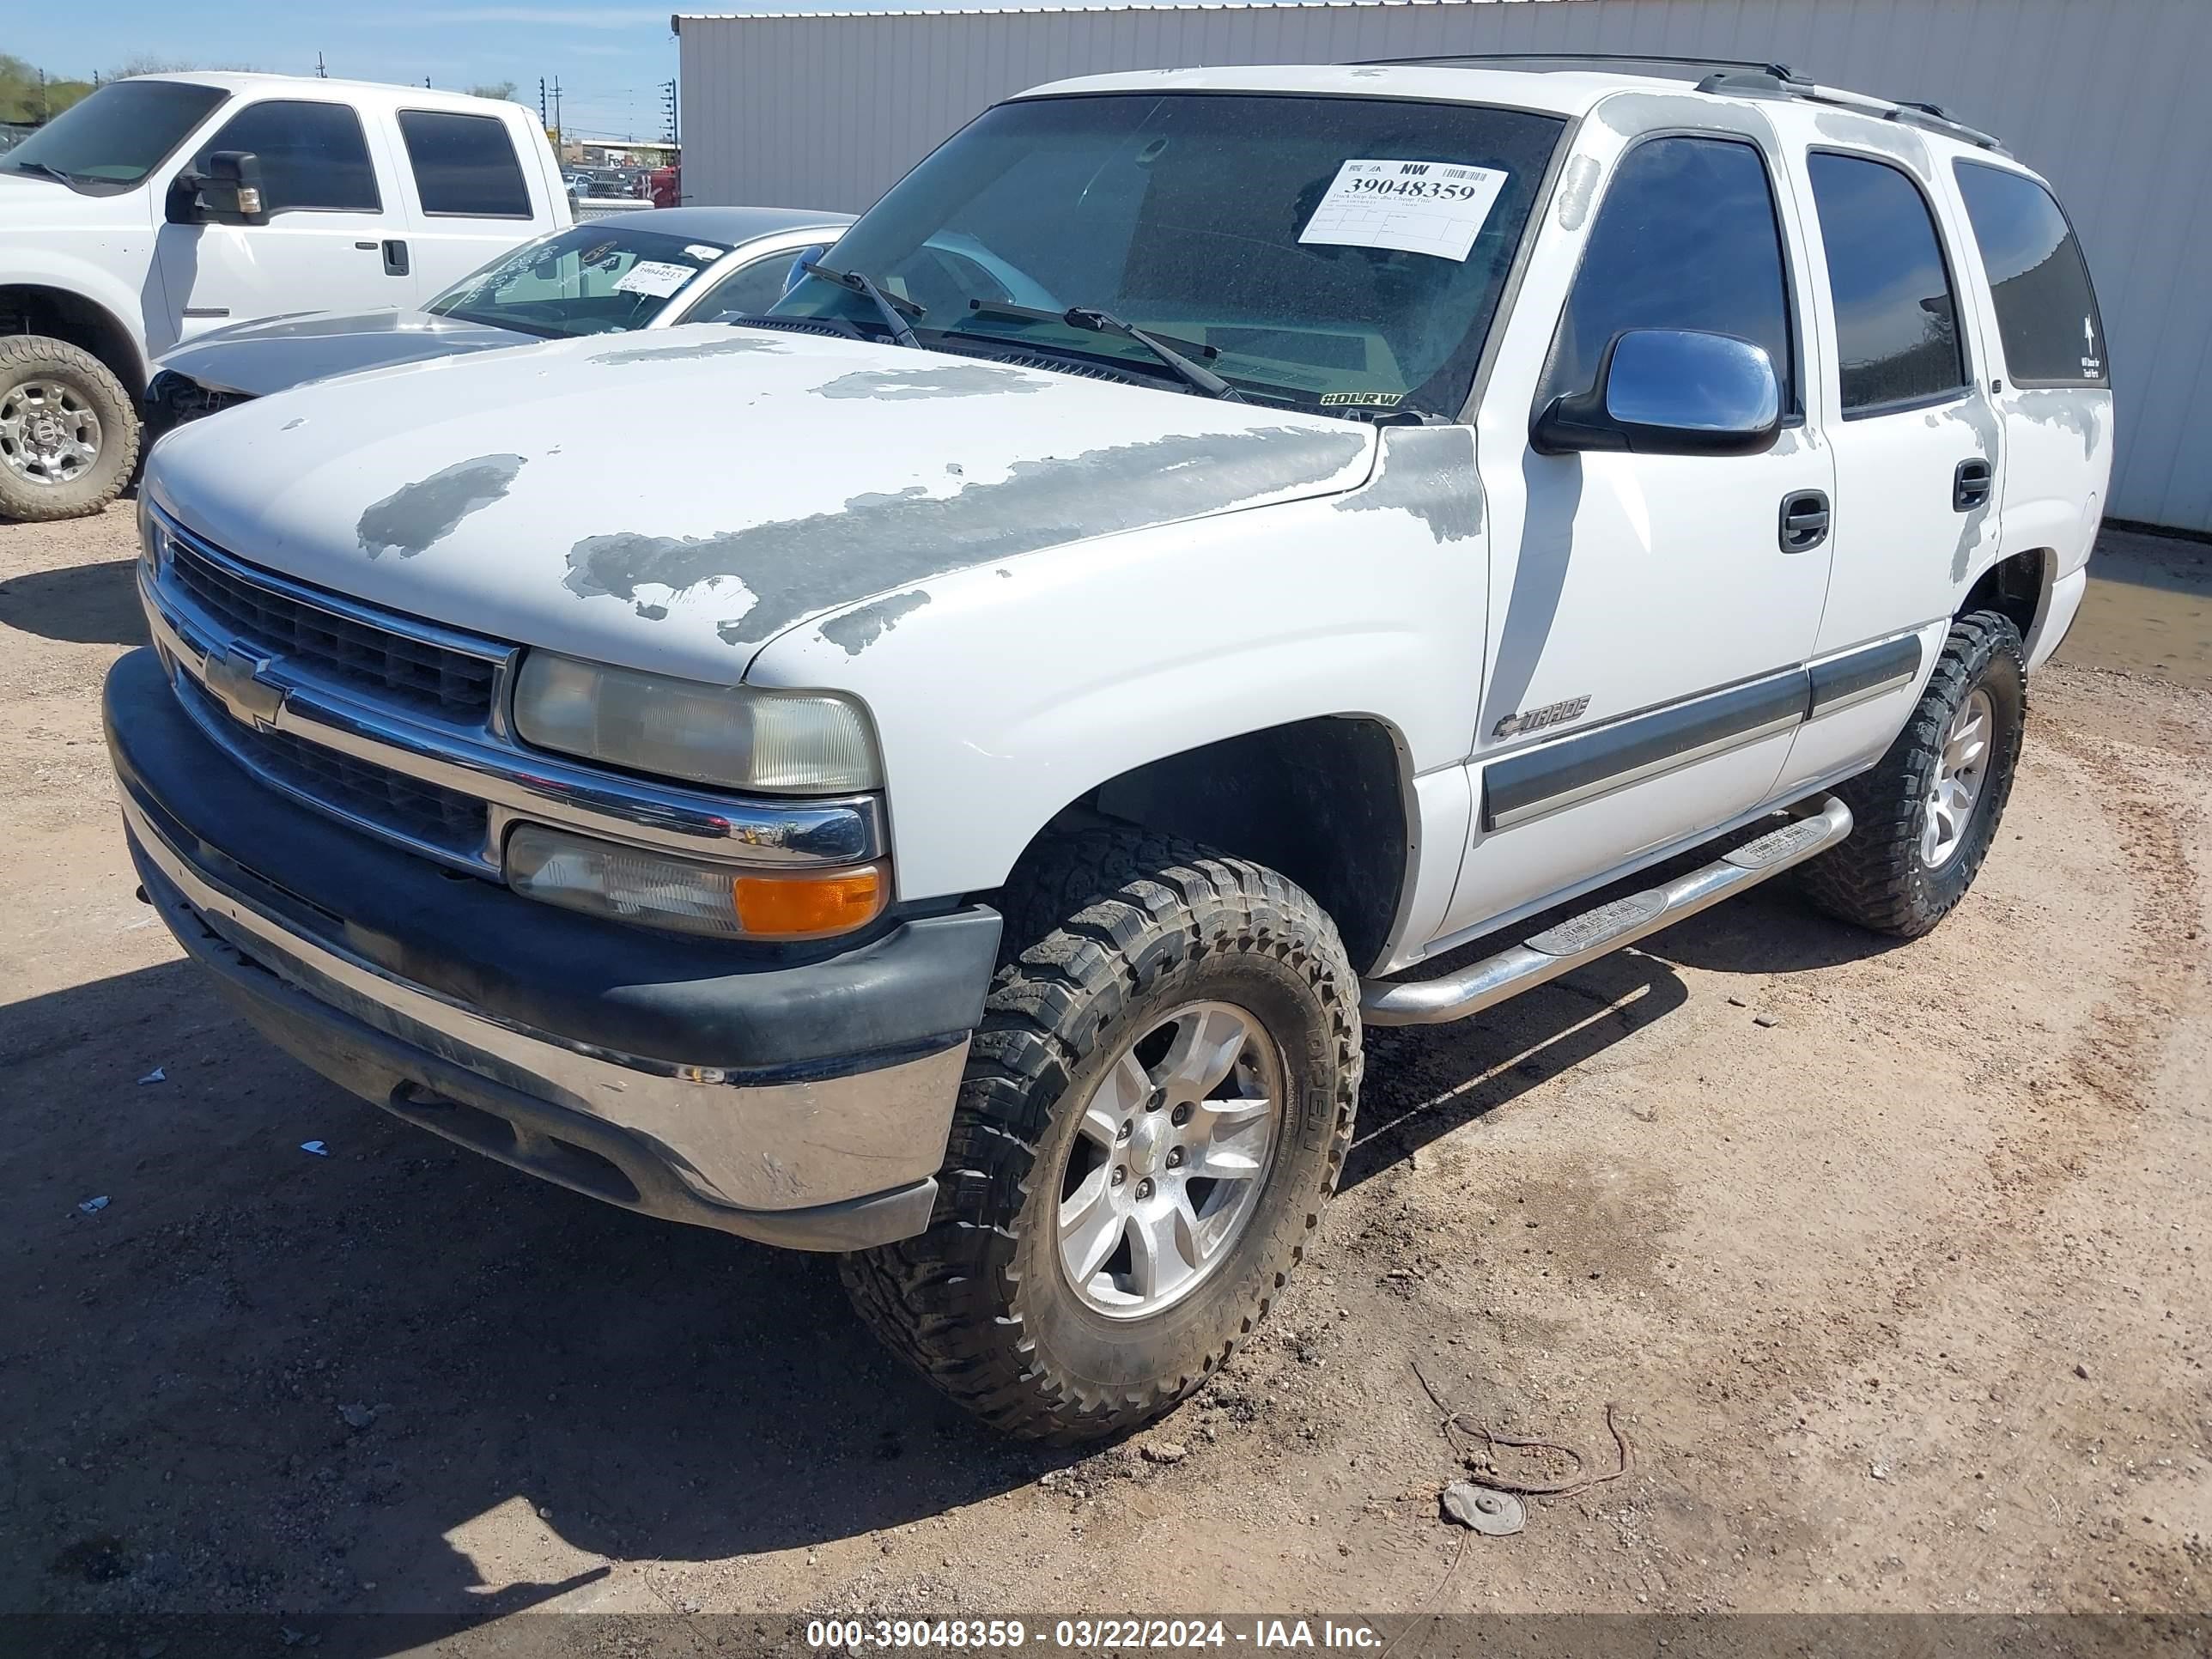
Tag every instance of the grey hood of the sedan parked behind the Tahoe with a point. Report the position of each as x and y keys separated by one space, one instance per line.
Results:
x=280 y=353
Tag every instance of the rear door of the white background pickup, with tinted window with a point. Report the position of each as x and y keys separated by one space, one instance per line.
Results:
x=470 y=196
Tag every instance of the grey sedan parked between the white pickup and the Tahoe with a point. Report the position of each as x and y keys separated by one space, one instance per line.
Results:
x=629 y=271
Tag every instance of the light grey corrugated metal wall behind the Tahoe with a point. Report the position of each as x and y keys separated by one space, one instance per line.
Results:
x=2100 y=96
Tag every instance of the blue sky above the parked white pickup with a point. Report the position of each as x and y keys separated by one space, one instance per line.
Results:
x=612 y=59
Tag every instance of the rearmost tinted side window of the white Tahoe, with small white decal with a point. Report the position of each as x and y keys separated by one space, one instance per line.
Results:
x=2047 y=313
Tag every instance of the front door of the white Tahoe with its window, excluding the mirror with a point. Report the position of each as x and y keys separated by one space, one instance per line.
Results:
x=1651 y=614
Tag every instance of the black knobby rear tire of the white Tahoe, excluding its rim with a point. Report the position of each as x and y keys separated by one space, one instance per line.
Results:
x=1879 y=877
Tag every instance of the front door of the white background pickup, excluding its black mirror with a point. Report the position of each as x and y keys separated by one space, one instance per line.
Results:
x=331 y=207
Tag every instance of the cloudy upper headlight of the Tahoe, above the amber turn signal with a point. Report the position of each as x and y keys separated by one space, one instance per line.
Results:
x=733 y=735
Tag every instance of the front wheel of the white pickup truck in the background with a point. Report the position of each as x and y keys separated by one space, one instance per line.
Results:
x=67 y=430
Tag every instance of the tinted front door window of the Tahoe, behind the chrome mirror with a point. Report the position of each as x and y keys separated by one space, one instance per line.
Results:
x=1687 y=238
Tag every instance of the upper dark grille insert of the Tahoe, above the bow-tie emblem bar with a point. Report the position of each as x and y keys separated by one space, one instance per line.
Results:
x=413 y=674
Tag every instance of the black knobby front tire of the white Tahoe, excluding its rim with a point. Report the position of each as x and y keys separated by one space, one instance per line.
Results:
x=1109 y=932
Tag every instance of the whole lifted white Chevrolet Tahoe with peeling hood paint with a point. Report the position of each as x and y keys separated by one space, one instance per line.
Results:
x=1200 y=550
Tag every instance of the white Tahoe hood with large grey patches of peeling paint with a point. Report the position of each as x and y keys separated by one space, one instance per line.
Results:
x=674 y=501
